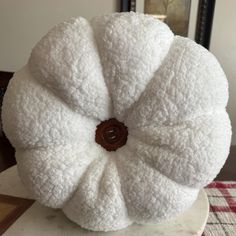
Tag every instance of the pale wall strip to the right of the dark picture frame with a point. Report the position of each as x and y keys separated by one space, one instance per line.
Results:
x=223 y=46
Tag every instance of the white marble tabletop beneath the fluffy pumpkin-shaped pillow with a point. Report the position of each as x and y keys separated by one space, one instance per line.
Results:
x=39 y=220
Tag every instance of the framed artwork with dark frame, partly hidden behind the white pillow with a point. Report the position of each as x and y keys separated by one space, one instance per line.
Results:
x=188 y=18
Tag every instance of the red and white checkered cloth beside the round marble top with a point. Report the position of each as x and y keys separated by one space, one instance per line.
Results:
x=222 y=215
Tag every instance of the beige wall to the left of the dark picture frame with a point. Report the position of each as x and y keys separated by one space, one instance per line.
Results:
x=24 y=22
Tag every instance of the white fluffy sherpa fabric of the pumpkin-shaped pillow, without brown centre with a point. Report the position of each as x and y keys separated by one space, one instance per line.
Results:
x=170 y=92
